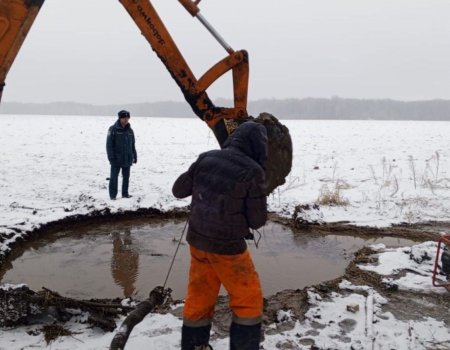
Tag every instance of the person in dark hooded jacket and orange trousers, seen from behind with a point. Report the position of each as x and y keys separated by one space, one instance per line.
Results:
x=228 y=198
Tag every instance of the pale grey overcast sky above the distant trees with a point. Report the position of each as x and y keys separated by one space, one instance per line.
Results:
x=91 y=50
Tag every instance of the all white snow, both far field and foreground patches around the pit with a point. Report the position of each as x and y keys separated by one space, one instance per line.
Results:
x=386 y=172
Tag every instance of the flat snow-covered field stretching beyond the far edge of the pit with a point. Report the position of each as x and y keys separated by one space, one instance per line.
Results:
x=389 y=172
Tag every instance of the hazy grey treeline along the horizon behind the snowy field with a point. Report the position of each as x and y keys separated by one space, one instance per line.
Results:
x=307 y=108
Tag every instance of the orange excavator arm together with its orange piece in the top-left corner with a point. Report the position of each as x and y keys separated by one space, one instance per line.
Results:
x=17 y=16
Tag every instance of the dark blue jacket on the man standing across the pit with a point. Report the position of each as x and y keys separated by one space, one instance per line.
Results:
x=120 y=145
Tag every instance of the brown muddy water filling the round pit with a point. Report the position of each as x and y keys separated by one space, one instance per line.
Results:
x=131 y=258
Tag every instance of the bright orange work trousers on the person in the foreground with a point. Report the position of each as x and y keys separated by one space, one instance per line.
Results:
x=239 y=277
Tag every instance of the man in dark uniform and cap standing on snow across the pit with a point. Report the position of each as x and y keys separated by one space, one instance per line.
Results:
x=121 y=150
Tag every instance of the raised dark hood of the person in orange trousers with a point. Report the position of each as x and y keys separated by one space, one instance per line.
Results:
x=251 y=139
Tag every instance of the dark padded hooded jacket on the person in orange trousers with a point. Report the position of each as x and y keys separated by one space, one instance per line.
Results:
x=228 y=192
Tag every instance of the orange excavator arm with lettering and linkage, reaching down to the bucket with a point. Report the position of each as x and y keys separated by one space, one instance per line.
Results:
x=194 y=90
